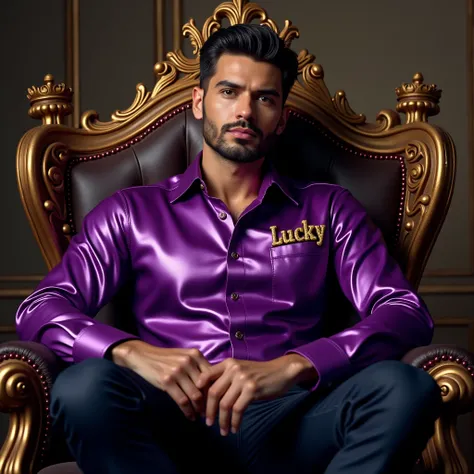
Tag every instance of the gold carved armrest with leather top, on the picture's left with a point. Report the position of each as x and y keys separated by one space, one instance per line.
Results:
x=27 y=371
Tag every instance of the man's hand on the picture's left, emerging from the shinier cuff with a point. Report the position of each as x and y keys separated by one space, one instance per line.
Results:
x=174 y=371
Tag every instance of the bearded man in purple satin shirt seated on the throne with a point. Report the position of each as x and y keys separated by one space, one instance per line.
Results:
x=229 y=371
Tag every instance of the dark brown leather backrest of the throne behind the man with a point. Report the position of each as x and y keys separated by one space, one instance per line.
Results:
x=304 y=151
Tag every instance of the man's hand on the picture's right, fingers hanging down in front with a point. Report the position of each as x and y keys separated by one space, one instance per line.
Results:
x=236 y=383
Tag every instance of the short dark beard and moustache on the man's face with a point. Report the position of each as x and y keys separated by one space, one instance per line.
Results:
x=236 y=149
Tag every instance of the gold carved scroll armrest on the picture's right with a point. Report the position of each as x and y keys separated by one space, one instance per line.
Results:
x=453 y=369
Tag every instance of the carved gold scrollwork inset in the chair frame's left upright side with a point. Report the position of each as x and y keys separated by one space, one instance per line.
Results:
x=54 y=166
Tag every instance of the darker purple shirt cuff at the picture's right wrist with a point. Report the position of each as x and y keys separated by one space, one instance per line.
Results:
x=331 y=363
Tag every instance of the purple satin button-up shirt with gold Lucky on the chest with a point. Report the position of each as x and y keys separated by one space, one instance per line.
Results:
x=253 y=289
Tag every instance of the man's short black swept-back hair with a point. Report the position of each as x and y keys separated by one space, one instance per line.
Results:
x=257 y=41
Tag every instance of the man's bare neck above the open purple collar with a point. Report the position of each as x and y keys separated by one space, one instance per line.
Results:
x=233 y=183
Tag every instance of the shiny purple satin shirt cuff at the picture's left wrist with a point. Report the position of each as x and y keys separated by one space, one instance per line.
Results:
x=95 y=340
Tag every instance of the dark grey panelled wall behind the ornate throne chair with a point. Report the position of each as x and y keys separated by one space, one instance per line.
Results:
x=366 y=48
